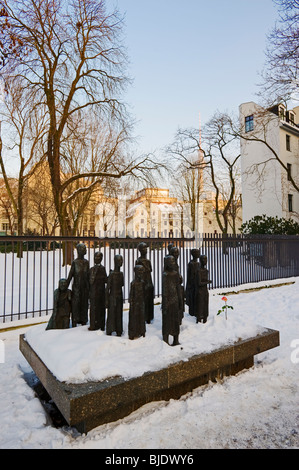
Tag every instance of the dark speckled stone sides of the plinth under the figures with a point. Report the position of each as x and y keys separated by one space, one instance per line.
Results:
x=88 y=405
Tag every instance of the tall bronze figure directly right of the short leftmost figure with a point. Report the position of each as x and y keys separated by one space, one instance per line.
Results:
x=79 y=273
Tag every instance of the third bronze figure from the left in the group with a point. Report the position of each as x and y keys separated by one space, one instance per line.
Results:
x=97 y=289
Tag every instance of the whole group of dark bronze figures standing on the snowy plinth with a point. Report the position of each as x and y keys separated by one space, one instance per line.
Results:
x=93 y=289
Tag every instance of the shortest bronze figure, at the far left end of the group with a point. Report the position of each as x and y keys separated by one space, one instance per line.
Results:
x=62 y=306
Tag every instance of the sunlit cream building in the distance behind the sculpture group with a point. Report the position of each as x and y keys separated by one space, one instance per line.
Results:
x=152 y=212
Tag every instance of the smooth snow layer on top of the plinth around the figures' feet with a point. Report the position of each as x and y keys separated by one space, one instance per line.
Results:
x=77 y=355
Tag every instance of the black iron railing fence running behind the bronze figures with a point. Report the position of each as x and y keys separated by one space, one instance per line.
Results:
x=30 y=267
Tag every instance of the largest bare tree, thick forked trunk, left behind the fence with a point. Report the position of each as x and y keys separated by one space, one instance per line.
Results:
x=70 y=56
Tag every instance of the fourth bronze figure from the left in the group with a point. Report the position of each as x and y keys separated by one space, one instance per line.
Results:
x=115 y=298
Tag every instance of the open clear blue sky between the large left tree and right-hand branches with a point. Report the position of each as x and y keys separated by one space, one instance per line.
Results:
x=191 y=58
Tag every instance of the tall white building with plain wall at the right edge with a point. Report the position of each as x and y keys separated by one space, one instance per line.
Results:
x=269 y=146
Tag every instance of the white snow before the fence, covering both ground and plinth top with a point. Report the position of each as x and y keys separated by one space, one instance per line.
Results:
x=257 y=408
